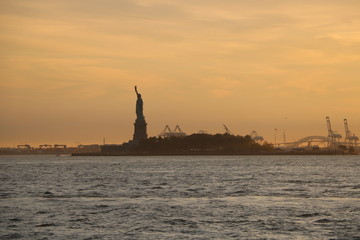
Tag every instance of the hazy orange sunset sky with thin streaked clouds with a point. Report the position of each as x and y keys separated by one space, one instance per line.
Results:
x=68 y=68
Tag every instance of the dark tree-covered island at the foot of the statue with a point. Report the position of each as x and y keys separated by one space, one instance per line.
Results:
x=201 y=144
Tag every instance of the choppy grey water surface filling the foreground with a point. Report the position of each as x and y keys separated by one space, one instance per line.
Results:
x=217 y=197
